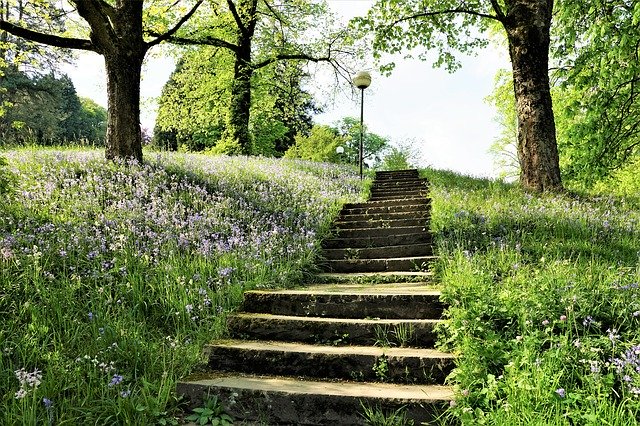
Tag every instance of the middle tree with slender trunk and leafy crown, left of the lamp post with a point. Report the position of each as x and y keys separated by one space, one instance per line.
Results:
x=257 y=34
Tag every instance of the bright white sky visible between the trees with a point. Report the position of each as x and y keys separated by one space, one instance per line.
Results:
x=445 y=115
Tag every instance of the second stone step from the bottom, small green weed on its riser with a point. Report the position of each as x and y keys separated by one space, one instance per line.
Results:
x=358 y=363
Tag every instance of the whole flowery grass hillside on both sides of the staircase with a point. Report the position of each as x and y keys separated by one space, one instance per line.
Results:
x=112 y=277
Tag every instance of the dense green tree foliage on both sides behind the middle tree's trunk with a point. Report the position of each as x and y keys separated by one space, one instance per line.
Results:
x=196 y=100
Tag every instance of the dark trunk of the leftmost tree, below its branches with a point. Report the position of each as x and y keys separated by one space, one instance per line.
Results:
x=124 y=137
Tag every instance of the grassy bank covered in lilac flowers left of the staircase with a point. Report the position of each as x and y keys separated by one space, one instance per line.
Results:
x=113 y=276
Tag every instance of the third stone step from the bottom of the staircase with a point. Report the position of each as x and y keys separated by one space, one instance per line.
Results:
x=334 y=331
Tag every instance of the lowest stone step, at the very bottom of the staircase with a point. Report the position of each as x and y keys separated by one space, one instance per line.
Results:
x=286 y=401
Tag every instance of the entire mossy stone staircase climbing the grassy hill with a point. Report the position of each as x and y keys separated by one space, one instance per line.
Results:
x=319 y=354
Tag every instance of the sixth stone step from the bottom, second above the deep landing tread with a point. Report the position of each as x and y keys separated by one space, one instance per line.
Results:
x=417 y=263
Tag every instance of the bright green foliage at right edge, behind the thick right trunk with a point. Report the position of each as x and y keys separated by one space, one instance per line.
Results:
x=598 y=72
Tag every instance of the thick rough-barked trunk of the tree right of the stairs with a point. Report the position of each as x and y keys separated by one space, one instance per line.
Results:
x=527 y=25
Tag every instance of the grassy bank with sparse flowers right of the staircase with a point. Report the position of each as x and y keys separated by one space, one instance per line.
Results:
x=544 y=303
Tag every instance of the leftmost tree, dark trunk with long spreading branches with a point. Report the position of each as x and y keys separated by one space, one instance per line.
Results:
x=116 y=31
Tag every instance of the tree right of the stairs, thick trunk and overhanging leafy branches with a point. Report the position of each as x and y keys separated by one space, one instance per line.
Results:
x=450 y=26
